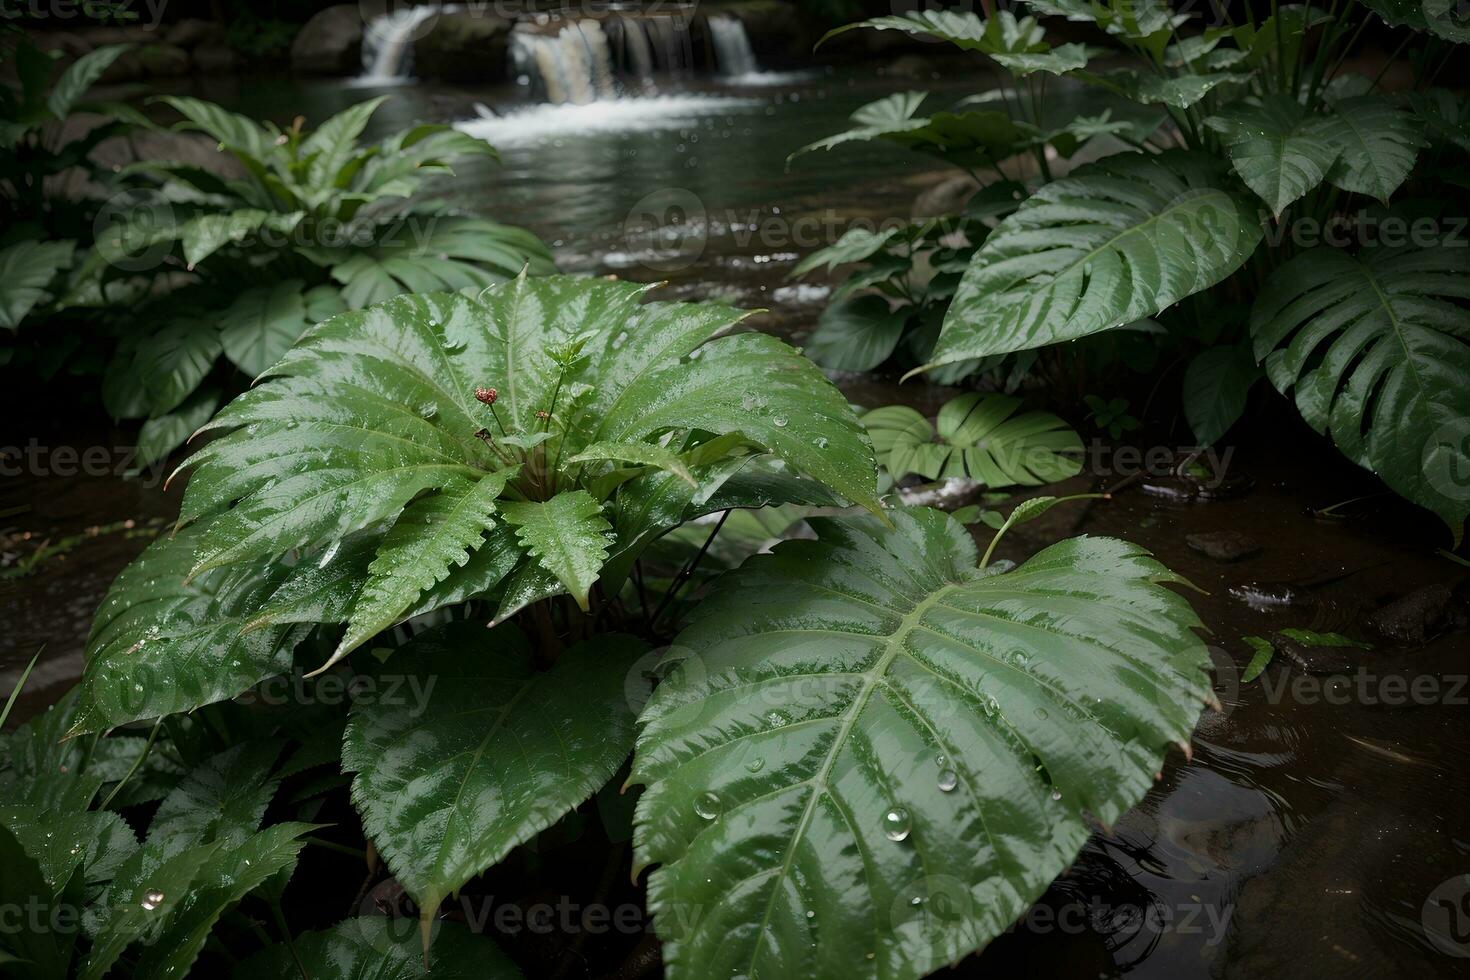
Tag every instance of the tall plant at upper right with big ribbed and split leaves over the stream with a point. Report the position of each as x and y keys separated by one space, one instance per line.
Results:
x=1259 y=142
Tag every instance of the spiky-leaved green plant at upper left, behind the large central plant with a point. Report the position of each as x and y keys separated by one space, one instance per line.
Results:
x=314 y=224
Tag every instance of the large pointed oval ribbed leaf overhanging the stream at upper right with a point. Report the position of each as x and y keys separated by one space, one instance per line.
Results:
x=1116 y=242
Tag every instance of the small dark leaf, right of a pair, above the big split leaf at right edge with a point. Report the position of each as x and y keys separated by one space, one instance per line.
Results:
x=1377 y=143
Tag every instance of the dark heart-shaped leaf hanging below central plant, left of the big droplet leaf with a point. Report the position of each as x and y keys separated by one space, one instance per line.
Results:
x=492 y=754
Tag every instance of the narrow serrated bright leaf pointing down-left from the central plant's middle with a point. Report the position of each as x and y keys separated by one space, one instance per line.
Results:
x=431 y=537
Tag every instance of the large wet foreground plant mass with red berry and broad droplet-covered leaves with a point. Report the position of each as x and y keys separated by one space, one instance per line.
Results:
x=842 y=727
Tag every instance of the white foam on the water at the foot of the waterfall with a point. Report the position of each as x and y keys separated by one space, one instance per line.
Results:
x=655 y=112
